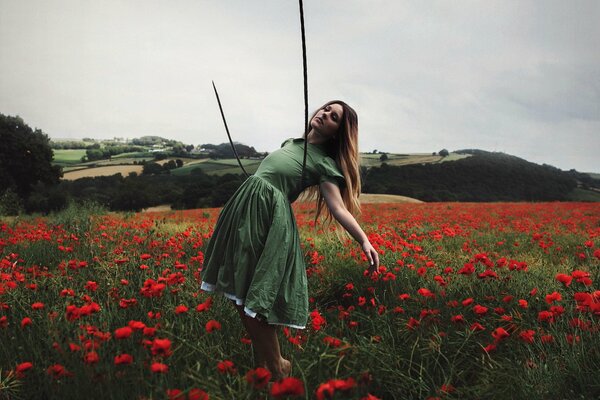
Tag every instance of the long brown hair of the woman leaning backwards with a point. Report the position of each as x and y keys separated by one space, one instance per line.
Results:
x=343 y=148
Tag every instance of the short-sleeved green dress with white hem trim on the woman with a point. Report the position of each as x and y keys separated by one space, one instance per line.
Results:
x=254 y=256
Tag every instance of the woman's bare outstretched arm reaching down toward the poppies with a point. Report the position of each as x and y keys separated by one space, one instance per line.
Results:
x=333 y=199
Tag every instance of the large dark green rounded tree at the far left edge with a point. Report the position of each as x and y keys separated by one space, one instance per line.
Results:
x=25 y=157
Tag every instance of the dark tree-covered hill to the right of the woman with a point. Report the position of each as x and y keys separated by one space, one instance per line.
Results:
x=484 y=176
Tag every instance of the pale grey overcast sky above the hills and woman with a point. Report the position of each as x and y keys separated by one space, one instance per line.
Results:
x=517 y=76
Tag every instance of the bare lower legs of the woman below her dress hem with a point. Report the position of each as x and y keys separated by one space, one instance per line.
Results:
x=265 y=342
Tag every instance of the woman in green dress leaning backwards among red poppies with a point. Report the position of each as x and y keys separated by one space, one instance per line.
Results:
x=254 y=256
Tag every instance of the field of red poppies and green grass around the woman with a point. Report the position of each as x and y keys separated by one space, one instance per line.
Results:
x=471 y=301
